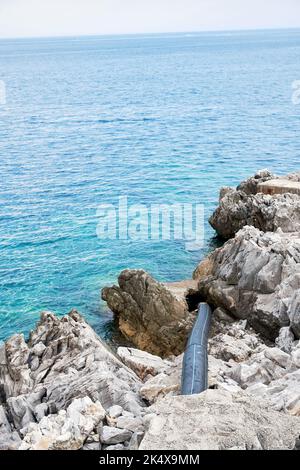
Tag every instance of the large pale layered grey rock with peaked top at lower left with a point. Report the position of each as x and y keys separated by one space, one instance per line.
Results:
x=73 y=363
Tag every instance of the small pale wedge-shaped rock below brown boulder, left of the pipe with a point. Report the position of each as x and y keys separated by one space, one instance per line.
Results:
x=142 y=362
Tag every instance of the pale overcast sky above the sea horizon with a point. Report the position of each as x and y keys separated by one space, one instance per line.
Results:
x=29 y=18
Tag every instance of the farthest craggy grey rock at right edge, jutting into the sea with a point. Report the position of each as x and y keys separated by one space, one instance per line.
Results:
x=245 y=206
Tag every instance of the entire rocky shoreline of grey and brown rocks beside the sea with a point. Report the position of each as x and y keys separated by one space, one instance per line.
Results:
x=66 y=389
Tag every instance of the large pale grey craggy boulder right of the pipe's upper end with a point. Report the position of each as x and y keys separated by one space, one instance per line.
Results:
x=254 y=276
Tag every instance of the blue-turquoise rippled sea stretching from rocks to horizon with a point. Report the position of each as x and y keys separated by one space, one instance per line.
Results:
x=163 y=118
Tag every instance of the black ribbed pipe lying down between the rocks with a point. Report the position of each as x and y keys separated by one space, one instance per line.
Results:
x=195 y=360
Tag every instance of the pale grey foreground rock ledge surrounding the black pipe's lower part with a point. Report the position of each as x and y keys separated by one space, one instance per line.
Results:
x=65 y=389
